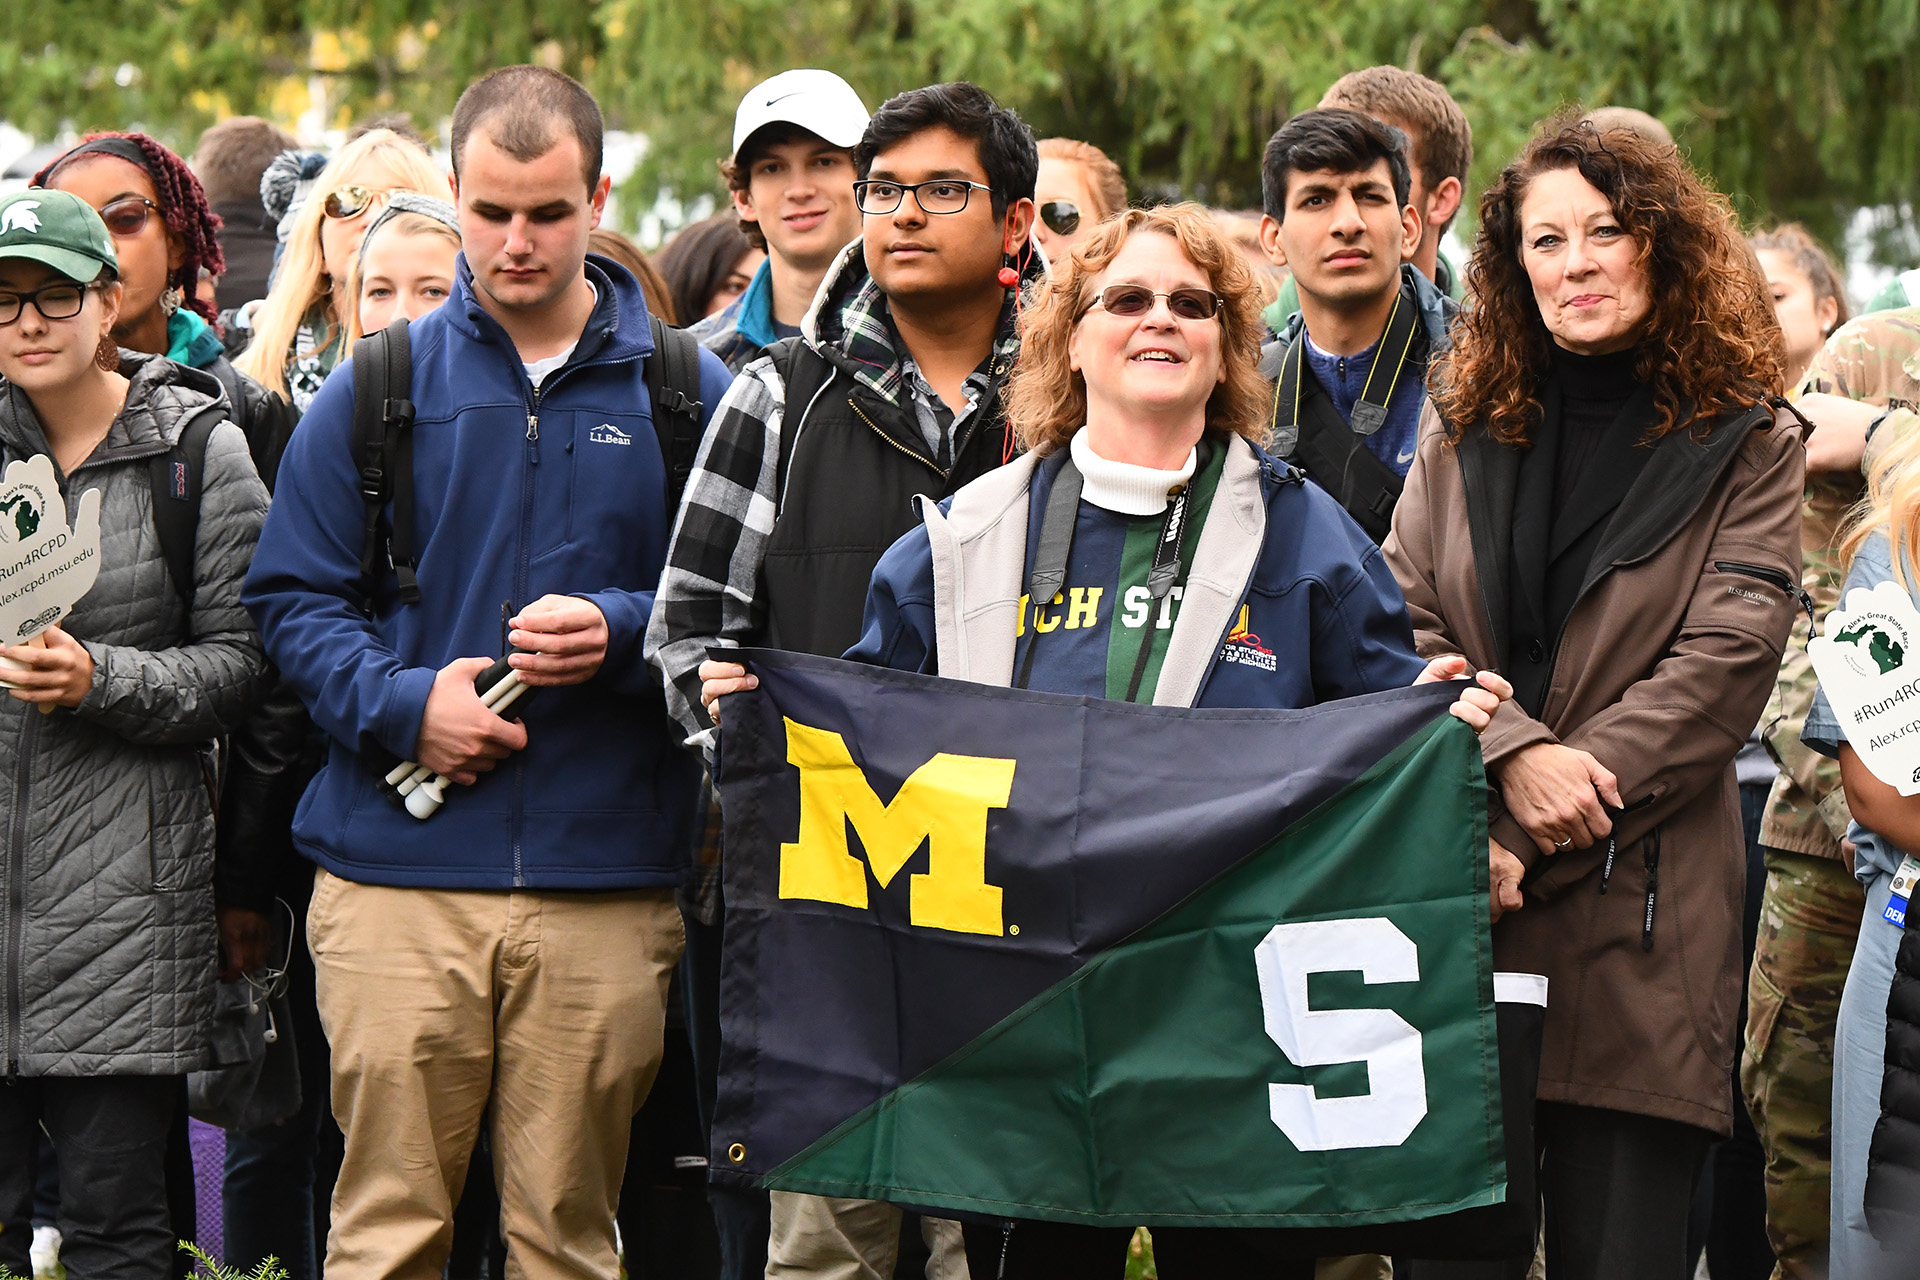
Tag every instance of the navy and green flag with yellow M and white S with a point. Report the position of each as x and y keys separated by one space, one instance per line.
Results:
x=1019 y=955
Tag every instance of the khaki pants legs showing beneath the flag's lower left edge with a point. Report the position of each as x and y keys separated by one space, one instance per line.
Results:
x=830 y=1239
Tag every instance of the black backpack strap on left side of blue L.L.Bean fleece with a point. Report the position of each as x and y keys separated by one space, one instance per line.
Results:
x=383 y=458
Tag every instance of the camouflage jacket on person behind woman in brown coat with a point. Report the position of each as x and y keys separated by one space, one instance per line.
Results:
x=1877 y=360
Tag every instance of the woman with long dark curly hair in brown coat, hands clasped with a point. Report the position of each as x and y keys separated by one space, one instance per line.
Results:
x=1606 y=510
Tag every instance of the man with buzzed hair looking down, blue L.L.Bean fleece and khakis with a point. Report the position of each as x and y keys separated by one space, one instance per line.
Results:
x=516 y=949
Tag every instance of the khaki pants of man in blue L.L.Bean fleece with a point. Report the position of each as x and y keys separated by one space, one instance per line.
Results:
x=441 y=1003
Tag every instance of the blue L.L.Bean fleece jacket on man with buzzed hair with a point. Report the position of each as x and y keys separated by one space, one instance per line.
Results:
x=517 y=496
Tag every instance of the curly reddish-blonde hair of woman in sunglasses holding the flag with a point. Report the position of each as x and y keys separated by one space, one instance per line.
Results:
x=1047 y=400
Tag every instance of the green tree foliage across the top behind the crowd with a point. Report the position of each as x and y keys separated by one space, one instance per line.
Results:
x=1796 y=108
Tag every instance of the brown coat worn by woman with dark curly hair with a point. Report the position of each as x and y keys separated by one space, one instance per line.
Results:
x=1662 y=673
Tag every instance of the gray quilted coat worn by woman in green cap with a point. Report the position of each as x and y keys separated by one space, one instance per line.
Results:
x=108 y=945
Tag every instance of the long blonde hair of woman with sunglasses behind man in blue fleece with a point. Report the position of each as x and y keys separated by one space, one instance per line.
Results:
x=300 y=281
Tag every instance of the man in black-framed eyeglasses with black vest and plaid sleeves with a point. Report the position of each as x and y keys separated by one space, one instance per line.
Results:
x=809 y=473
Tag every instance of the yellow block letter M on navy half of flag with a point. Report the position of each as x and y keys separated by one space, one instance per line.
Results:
x=944 y=805
